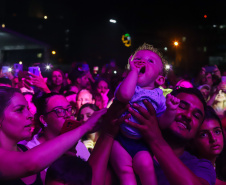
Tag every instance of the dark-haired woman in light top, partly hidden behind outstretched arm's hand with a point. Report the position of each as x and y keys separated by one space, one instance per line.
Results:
x=85 y=112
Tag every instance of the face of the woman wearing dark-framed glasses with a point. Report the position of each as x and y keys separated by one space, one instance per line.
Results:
x=55 y=123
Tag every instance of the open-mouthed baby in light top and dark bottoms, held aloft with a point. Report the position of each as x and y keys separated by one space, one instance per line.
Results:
x=130 y=155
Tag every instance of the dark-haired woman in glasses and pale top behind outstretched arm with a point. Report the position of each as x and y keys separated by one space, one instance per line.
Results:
x=53 y=110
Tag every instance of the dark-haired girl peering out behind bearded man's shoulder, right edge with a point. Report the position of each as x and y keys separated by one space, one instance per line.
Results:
x=209 y=143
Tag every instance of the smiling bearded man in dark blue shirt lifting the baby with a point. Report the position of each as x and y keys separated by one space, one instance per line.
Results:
x=173 y=165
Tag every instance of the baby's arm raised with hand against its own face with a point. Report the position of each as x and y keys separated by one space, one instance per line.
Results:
x=127 y=88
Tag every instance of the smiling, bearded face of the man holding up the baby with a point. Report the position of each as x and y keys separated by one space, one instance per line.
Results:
x=189 y=116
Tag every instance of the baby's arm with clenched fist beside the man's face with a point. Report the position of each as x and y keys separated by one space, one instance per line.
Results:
x=169 y=115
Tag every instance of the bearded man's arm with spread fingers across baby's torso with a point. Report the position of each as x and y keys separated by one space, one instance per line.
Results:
x=175 y=171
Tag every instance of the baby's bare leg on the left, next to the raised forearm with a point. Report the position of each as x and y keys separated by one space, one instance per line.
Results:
x=121 y=162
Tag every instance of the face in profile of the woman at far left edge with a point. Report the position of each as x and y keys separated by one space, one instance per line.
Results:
x=17 y=123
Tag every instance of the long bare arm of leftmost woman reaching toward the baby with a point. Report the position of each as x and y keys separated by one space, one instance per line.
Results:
x=21 y=164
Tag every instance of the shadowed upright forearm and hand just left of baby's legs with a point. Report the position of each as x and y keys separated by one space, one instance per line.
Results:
x=101 y=152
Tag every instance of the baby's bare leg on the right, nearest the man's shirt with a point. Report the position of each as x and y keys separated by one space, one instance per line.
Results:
x=144 y=167
